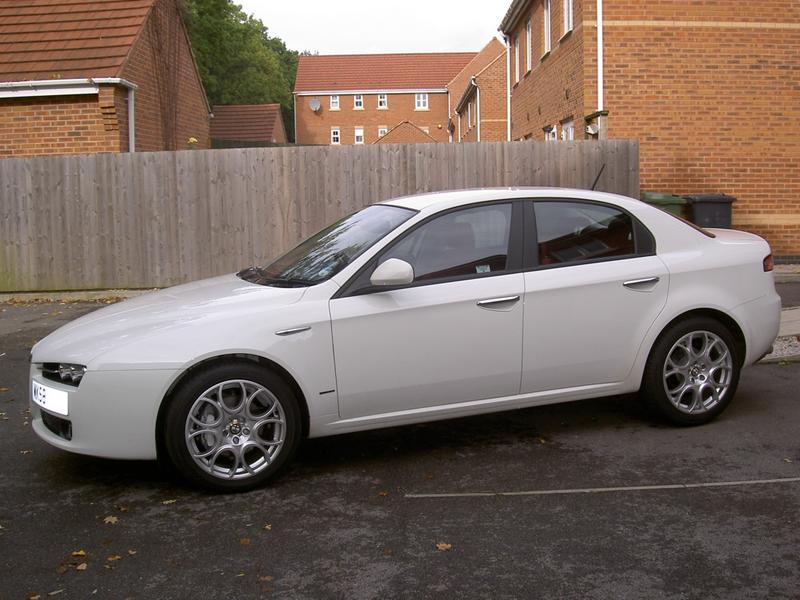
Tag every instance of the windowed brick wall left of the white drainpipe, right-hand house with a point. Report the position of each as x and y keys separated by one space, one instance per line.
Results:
x=553 y=90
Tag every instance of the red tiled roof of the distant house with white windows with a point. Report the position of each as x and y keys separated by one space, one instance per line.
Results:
x=378 y=71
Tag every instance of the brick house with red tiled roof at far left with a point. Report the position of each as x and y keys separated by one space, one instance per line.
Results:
x=97 y=76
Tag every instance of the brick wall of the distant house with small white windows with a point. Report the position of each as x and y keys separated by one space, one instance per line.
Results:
x=315 y=128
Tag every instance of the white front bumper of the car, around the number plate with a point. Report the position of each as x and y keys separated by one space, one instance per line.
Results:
x=111 y=414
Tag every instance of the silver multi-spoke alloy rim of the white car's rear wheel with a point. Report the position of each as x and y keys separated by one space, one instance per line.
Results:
x=698 y=372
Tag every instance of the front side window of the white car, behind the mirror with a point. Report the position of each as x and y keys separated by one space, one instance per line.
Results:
x=463 y=243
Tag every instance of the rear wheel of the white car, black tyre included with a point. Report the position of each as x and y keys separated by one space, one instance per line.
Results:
x=681 y=407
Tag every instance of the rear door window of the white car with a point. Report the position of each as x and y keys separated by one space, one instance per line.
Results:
x=570 y=232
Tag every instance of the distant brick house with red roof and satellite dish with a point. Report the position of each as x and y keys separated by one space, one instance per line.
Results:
x=356 y=99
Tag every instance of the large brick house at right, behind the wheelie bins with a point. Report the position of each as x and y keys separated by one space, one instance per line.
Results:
x=709 y=89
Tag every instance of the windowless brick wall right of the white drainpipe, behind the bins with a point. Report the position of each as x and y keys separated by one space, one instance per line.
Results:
x=713 y=97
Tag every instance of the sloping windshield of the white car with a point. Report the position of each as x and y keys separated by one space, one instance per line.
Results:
x=326 y=253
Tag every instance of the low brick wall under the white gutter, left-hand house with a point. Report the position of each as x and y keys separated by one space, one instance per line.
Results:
x=59 y=125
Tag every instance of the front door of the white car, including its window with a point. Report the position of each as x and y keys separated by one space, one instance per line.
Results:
x=454 y=335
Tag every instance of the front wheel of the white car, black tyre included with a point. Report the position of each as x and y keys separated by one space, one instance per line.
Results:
x=249 y=377
